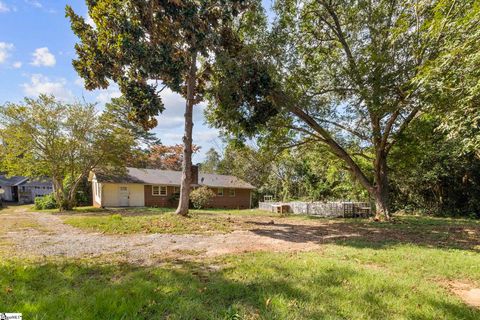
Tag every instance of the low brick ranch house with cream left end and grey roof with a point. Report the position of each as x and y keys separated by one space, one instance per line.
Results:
x=161 y=188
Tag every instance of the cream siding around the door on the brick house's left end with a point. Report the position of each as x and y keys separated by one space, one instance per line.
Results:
x=111 y=195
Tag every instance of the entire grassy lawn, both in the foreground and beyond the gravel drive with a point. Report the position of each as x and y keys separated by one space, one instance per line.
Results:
x=400 y=270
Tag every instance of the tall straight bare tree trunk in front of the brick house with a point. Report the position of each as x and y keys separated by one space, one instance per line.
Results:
x=187 y=141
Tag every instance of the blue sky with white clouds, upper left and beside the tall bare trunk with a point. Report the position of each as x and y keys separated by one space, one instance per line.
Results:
x=36 y=51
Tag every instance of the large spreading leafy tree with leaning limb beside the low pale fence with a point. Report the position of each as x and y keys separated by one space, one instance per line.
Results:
x=337 y=72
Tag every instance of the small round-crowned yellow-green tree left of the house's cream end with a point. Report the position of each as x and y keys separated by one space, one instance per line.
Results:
x=45 y=137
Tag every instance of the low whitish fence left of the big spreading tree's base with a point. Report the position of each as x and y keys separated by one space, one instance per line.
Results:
x=321 y=209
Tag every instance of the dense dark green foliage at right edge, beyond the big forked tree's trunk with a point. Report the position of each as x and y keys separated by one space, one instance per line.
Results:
x=432 y=174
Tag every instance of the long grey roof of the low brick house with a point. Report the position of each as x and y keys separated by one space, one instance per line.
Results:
x=169 y=177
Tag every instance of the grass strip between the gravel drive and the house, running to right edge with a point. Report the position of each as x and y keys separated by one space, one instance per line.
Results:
x=164 y=220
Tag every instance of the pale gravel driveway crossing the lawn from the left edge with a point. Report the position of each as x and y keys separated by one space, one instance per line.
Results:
x=49 y=236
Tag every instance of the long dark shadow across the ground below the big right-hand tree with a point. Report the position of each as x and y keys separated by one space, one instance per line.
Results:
x=420 y=231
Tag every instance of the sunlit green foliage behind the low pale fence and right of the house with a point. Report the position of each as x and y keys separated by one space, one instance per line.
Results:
x=307 y=173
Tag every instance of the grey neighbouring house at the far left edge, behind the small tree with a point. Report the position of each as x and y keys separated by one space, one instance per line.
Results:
x=22 y=189
